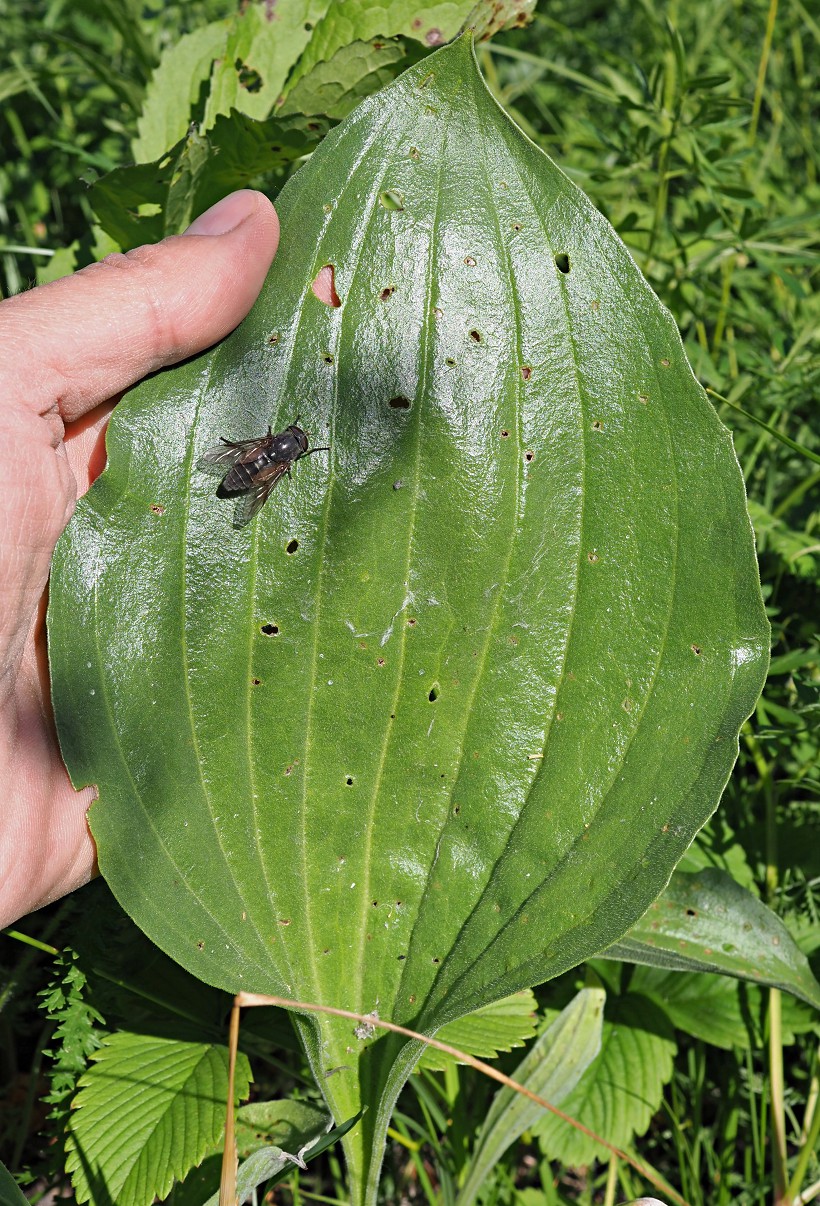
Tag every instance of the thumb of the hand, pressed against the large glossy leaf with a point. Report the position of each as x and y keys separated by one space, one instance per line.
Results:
x=75 y=343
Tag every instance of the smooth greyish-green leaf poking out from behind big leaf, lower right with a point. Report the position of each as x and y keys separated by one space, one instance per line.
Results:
x=706 y=922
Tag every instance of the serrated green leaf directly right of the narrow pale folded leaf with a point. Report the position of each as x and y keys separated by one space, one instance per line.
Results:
x=622 y=1088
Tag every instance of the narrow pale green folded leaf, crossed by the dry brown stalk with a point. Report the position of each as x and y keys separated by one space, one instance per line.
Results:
x=552 y=1069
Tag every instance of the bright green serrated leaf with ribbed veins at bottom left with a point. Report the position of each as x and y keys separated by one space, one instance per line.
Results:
x=148 y=1110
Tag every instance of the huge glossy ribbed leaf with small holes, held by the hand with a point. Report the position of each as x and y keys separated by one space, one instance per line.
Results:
x=438 y=725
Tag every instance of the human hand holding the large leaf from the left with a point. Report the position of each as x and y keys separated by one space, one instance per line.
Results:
x=68 y=350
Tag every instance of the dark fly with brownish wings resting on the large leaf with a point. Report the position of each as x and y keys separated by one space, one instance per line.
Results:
x=255 y=467
